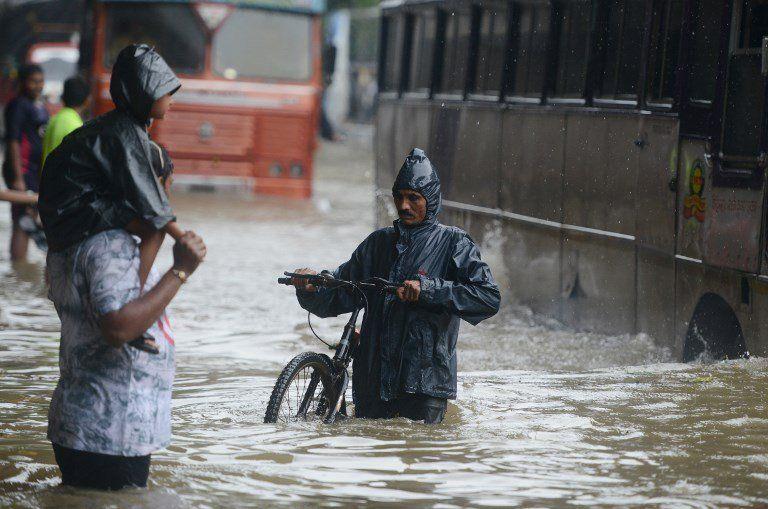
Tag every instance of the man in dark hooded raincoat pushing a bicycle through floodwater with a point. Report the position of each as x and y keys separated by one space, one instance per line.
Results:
x=405 y=364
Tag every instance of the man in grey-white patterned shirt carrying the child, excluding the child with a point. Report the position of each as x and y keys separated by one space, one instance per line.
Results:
x=112 y=405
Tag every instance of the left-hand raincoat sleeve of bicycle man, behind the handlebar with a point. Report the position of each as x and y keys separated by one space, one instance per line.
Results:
x=333 y=302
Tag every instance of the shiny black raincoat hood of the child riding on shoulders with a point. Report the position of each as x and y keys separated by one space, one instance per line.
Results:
x=140 y=77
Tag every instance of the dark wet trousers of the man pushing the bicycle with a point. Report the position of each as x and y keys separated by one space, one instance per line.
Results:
x=416 y=407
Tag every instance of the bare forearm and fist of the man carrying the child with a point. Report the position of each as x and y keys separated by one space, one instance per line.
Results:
x=133 y=319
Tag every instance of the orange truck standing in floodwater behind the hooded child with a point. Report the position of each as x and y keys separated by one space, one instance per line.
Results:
x=248 y=109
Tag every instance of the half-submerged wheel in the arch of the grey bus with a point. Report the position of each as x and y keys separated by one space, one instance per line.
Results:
x=714 y=332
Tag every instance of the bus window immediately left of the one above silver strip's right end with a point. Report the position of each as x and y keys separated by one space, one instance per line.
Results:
x=573 y=19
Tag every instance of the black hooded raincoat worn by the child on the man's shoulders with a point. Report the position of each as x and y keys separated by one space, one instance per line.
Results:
x=100 y=177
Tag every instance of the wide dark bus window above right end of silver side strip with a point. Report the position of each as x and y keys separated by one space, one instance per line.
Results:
x=622 y=40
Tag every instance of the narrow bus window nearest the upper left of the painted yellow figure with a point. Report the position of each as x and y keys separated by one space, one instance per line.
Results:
x=665 y=46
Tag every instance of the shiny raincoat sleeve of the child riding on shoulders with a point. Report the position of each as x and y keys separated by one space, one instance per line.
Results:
x=132 y=170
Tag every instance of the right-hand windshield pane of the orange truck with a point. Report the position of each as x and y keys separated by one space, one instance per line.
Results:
x=263 y=44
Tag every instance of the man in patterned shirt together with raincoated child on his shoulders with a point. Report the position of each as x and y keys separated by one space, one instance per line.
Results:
x=111 y=407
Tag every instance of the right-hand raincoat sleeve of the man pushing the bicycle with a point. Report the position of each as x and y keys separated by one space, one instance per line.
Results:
x=473 y=296
